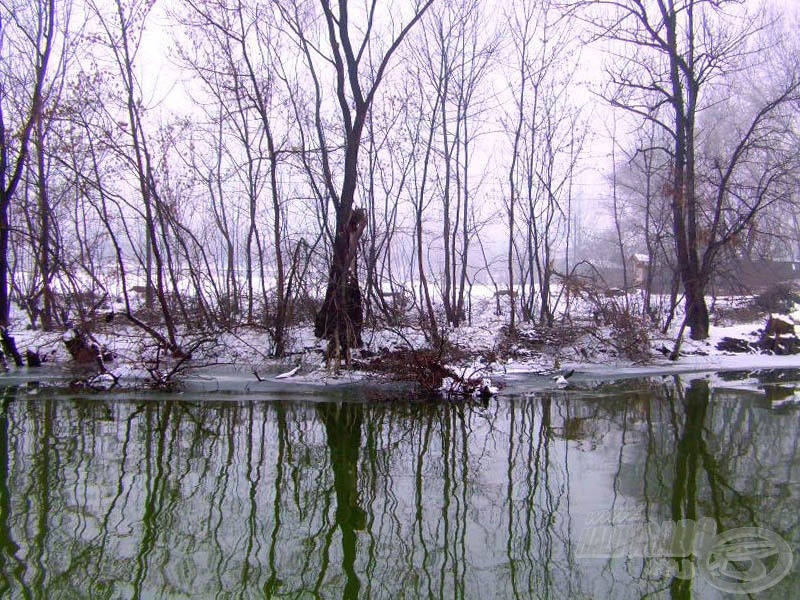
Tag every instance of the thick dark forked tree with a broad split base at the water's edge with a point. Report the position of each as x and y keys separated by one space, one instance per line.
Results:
x=359 y=64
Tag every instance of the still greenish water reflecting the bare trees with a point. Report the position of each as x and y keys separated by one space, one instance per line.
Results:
x=353 y=495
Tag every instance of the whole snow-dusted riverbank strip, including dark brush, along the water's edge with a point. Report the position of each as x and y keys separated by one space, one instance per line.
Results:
x=468 y=359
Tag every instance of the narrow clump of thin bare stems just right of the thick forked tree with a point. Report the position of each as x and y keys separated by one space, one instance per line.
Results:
x=455 y=51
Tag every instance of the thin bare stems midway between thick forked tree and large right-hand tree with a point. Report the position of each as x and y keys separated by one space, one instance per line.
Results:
x=547 y=138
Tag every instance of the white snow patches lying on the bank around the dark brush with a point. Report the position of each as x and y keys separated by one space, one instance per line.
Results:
x=239 y=359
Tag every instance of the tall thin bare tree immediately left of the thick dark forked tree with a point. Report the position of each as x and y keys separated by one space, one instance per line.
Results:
x=232 y=49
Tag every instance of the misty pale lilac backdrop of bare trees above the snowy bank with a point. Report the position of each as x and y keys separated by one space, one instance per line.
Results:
x=344 y=162
